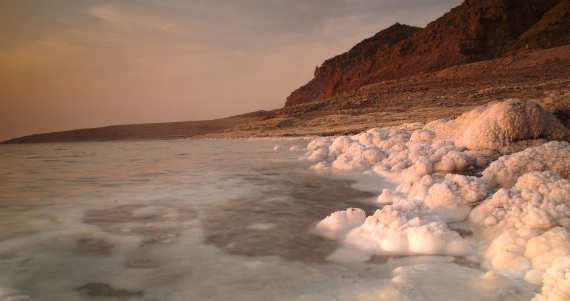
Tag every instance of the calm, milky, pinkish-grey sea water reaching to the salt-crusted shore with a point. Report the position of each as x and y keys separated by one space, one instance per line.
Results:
x=196 y=220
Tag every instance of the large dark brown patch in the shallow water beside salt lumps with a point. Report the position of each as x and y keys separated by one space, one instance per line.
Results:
x=296 y=202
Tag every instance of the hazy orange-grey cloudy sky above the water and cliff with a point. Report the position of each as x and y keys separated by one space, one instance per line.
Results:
x=70 y=64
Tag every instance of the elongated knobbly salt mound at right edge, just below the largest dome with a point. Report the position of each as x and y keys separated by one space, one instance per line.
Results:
x=553 y=156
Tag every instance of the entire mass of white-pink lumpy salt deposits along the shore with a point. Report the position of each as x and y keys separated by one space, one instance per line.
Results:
x=522 y=232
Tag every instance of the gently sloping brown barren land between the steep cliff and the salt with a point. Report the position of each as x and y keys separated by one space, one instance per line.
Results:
x=541 y=76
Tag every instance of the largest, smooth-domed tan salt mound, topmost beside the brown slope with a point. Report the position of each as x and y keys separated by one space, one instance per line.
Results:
x=505 y=127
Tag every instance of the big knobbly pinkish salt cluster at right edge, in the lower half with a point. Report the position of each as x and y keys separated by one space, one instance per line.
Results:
x=528 y=225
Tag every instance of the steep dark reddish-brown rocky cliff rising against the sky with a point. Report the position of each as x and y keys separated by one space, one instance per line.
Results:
x=475 y=31
